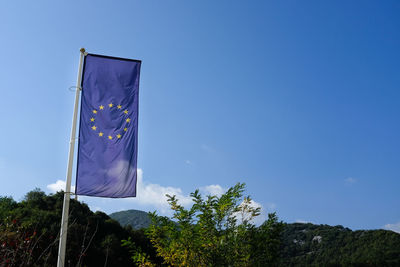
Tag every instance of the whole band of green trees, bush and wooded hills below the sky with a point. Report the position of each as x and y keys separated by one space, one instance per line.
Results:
x=215 y=231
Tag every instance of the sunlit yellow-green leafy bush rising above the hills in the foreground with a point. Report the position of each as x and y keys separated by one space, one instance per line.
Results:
x=216 y=231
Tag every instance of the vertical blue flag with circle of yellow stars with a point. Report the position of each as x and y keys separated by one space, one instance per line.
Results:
x=108 y=133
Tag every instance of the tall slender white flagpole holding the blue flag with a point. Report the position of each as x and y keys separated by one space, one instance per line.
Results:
x=67 y=193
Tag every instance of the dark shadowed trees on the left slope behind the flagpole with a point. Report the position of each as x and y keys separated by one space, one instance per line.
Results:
x=29 y=234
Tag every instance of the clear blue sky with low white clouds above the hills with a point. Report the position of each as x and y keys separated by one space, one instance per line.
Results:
x=298 y=99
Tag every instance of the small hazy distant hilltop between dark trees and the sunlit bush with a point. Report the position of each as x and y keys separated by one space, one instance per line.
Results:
x=136 y=218
